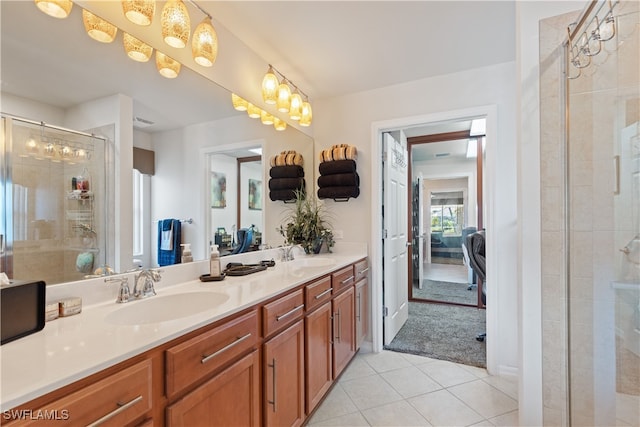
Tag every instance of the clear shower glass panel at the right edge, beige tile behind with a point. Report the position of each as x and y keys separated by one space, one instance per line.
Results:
x=603 y=204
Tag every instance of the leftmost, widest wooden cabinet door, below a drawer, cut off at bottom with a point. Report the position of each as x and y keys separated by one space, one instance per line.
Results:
x=231 y=398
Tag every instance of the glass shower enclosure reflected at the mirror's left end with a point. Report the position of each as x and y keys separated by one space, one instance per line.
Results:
x=53 y=202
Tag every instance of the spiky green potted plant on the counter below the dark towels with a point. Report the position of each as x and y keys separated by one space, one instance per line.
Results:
x=306 y=224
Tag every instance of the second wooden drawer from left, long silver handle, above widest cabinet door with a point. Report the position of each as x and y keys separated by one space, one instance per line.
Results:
x=196 y=358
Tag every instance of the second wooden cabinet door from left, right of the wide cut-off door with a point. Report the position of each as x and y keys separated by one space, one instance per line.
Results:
x=284 y=377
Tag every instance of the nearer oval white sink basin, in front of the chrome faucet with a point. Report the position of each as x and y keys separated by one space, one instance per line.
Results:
x=157 y=309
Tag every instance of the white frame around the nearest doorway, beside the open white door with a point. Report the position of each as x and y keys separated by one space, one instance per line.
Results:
x=377 y=128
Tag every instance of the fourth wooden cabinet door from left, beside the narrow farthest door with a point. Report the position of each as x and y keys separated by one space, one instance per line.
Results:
x=344 y=343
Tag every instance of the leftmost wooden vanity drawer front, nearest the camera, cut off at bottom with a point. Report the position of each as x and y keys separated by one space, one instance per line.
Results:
x=113 y=401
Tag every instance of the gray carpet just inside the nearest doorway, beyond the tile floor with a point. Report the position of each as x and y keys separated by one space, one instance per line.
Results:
x=444 y=332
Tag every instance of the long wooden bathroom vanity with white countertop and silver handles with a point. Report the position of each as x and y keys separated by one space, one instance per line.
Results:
x=265 y=353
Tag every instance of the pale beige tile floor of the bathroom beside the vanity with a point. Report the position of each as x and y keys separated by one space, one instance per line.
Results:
x=396 y=389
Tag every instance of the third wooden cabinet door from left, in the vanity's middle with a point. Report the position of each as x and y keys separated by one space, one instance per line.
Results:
x=318 y=347
